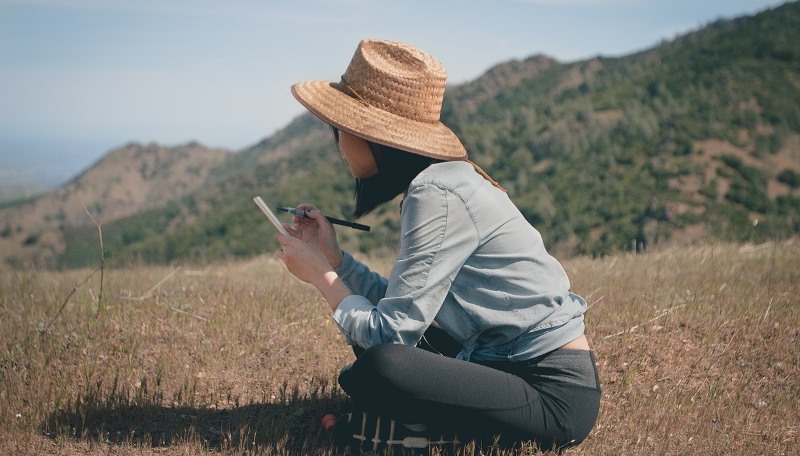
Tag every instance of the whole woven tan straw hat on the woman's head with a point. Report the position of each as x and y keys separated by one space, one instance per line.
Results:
x=391 y=94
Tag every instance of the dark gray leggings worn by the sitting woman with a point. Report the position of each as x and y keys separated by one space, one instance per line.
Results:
x=552 y=400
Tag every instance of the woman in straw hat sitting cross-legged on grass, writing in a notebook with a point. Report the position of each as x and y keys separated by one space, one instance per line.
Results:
x=474 y=334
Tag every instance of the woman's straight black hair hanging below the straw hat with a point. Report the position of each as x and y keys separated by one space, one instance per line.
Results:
x=396 y=169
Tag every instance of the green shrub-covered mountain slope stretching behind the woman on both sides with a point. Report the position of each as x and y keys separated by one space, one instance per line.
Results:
x=697 y=138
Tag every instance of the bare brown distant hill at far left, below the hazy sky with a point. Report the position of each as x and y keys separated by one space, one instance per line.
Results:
x=125 y=182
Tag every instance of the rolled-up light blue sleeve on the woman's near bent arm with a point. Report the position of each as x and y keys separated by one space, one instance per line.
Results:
x=437 y=236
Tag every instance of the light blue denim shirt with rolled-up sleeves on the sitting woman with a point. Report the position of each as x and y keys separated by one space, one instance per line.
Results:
x=469 y=263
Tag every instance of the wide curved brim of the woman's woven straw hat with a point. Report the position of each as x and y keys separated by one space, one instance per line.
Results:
x=325 y=100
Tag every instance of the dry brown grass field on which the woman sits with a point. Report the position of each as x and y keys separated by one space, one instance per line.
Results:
x=698 y=350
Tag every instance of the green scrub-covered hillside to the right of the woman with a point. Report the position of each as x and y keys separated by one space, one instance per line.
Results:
x=699 y=131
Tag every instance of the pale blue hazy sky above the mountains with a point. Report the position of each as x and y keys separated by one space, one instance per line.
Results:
x=102 y=73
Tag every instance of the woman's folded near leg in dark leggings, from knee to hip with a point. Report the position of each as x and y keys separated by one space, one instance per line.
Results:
x=413 y=385
